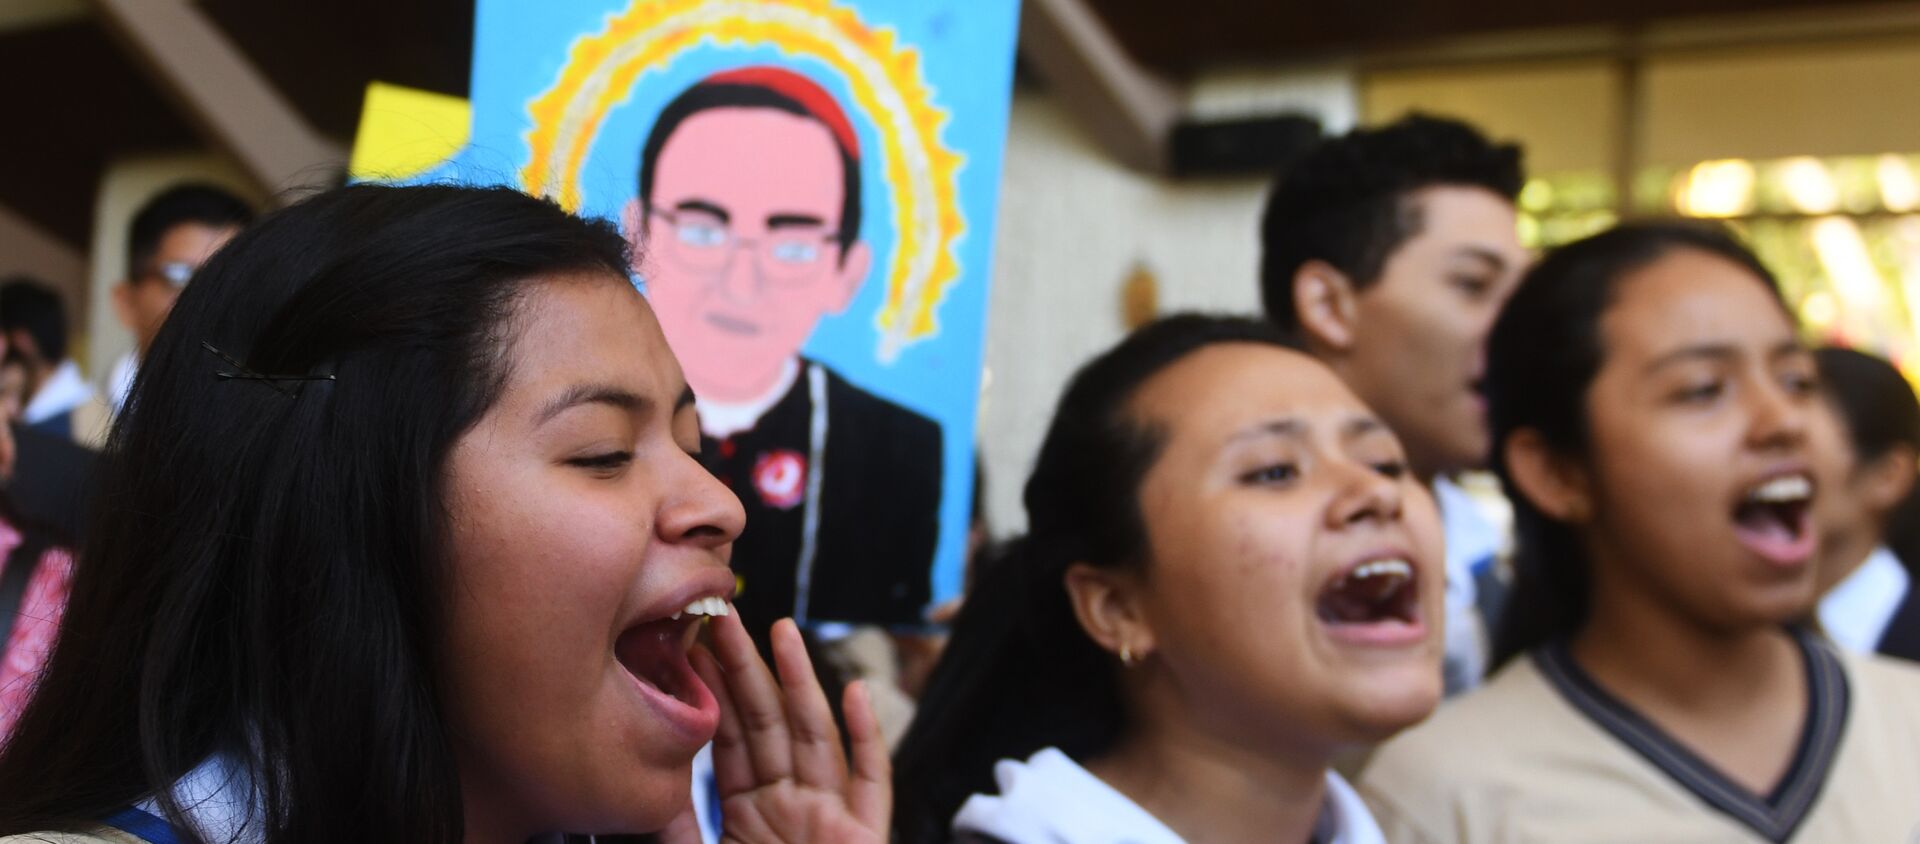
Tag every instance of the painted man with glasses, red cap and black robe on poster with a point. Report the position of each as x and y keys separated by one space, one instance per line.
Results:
x=748 y=235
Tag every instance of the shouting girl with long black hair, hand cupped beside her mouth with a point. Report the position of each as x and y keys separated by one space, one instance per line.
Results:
x=404 y=538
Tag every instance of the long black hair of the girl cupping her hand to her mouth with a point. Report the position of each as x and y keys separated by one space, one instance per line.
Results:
x=266 y=569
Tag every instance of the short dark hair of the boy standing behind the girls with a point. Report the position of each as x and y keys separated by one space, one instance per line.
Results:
x=1345 y=202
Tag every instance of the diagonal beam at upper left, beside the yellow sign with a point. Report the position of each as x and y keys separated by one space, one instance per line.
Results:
x=233 y=106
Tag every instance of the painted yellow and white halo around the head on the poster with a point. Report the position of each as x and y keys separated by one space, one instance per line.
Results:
x=886 y=83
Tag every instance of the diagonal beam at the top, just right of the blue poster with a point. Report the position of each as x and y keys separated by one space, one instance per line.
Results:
x=1126 y=108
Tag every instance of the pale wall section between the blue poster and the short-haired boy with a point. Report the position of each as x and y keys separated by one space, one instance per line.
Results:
x=1072 y=227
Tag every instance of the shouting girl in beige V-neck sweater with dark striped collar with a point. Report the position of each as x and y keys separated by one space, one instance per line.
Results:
x=1652 y=411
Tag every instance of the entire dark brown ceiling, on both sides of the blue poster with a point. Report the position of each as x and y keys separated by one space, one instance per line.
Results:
x=93 y=105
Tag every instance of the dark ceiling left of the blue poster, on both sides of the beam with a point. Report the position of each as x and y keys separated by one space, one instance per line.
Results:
x=95 y=105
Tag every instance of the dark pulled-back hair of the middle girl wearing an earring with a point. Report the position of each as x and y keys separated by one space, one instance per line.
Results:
x=1019 y=672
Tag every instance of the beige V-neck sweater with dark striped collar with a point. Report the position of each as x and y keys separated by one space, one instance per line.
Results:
x=1535 y=757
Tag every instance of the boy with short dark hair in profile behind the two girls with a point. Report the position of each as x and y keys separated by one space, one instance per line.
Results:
x=1385 y=254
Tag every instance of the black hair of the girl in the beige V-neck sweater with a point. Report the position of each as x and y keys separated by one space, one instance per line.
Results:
x=1541 y=362
